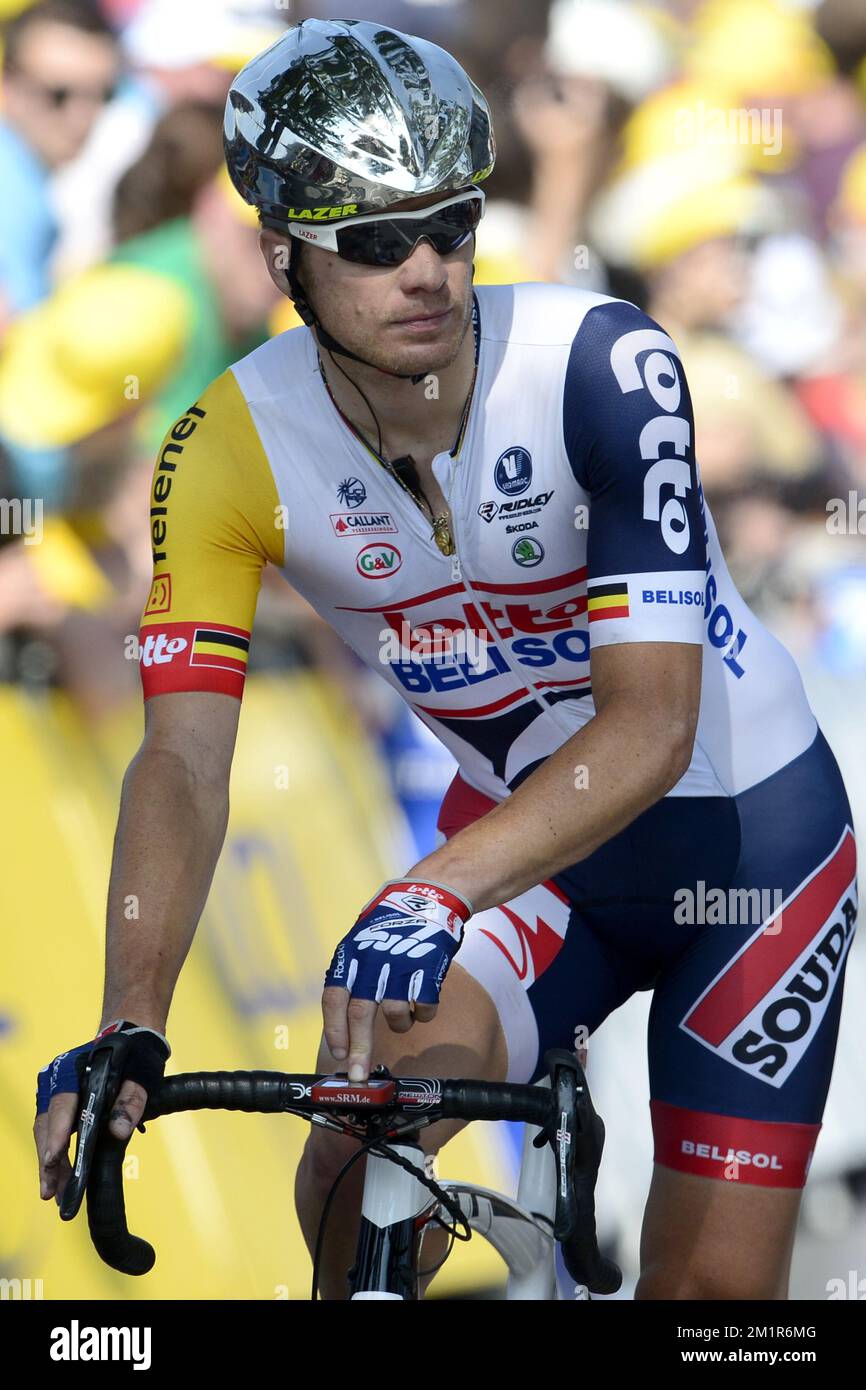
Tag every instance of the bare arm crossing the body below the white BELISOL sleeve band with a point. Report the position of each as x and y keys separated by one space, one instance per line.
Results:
x=647 y=698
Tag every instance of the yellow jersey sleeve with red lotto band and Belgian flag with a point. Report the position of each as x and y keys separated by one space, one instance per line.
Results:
x=213 y=528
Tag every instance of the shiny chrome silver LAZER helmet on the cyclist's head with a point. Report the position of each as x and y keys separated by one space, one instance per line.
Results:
x=347 y=115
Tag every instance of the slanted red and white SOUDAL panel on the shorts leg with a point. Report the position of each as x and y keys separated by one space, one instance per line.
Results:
x=764 y=1010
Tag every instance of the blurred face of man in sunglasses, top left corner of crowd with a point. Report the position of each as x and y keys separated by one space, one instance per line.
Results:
x=58 y=88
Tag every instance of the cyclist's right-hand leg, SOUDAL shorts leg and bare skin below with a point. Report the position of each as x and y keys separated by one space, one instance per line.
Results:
x=742 y=1043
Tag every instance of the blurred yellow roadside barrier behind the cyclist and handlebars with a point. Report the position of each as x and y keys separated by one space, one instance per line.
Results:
x=312 y=835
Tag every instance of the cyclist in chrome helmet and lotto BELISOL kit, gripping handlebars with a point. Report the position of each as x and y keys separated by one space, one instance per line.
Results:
x=494 y=497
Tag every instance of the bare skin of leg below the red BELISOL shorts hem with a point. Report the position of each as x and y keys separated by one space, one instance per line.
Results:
x=705 y=1239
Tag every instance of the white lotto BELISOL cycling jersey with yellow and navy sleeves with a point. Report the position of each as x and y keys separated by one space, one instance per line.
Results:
x=579 y=522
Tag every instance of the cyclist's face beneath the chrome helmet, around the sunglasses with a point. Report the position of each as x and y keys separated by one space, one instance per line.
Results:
x=404 y=319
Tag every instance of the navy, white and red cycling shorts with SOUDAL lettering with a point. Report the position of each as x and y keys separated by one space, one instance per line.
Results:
x=739 y=915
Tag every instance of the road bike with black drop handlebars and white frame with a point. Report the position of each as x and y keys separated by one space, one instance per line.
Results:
x=401 y=1199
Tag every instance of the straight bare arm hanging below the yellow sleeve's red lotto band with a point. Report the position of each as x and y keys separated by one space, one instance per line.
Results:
x=172 y=826
